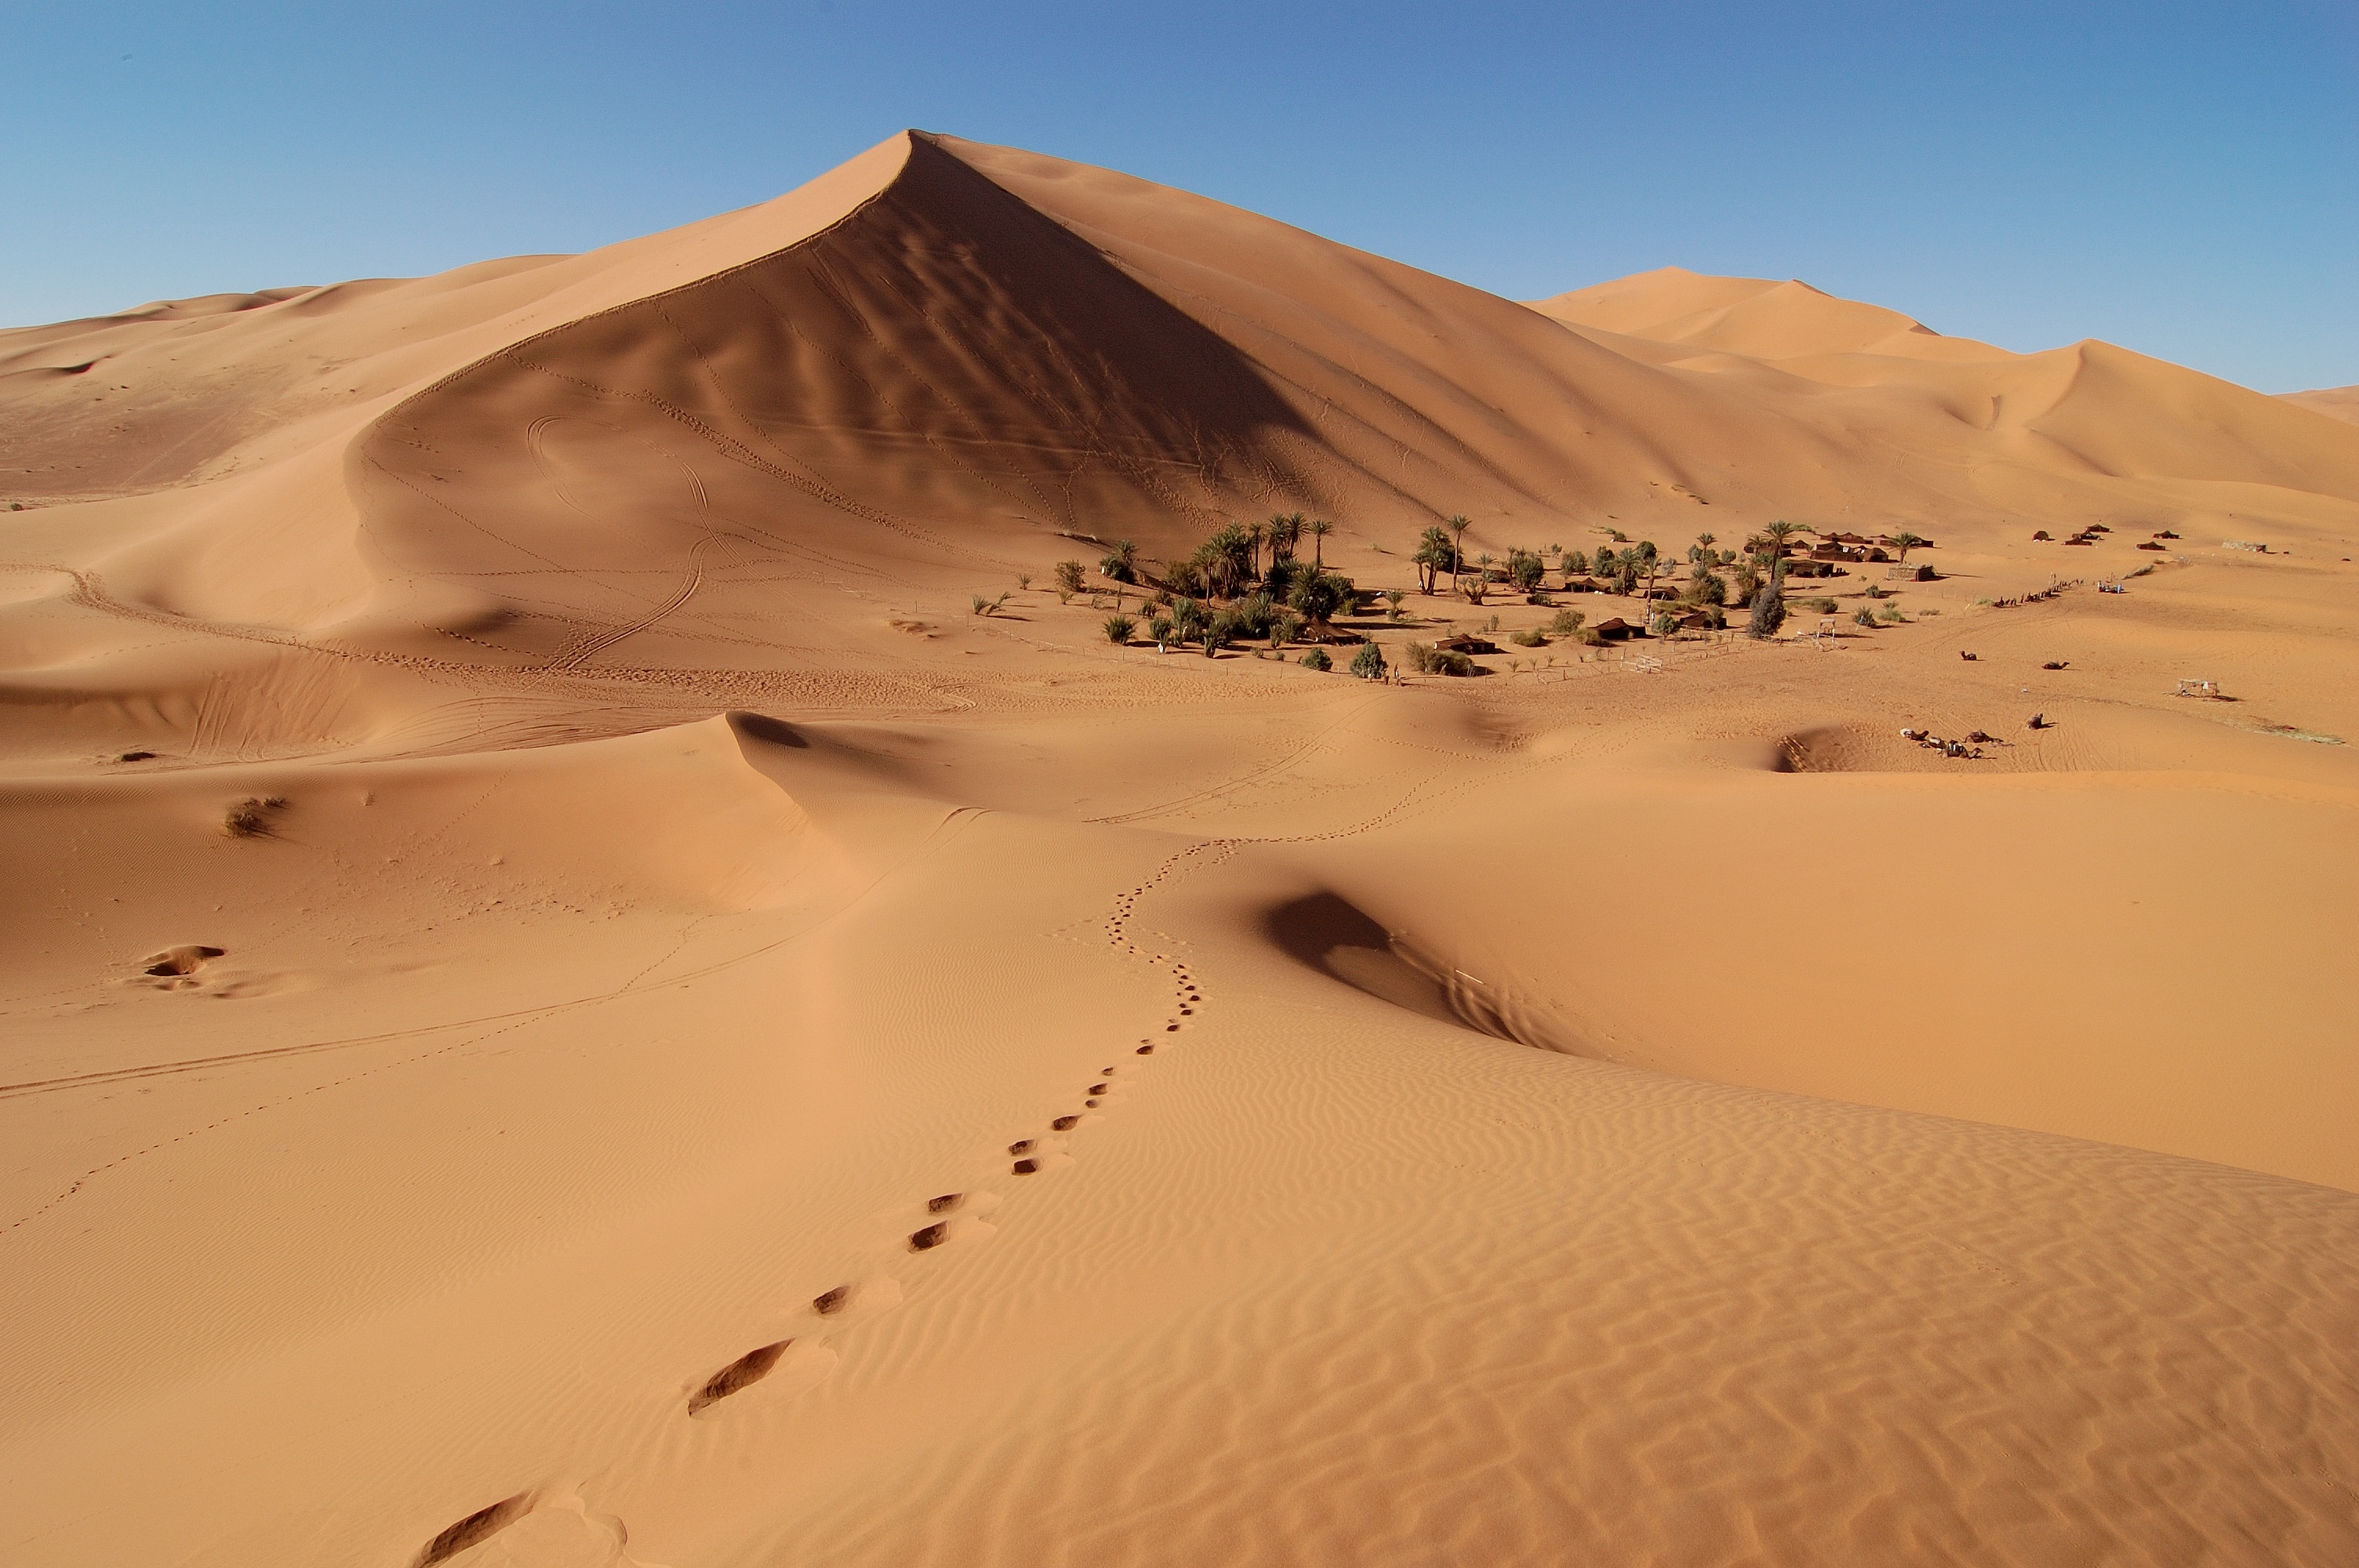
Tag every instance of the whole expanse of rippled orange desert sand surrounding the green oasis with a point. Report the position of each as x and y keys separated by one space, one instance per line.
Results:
x=570 y=1003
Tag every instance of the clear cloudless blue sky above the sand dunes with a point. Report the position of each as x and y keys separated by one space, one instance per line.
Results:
x=2174 y=178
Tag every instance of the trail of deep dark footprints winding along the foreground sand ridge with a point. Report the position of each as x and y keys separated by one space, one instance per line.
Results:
x=1030 y=1157
